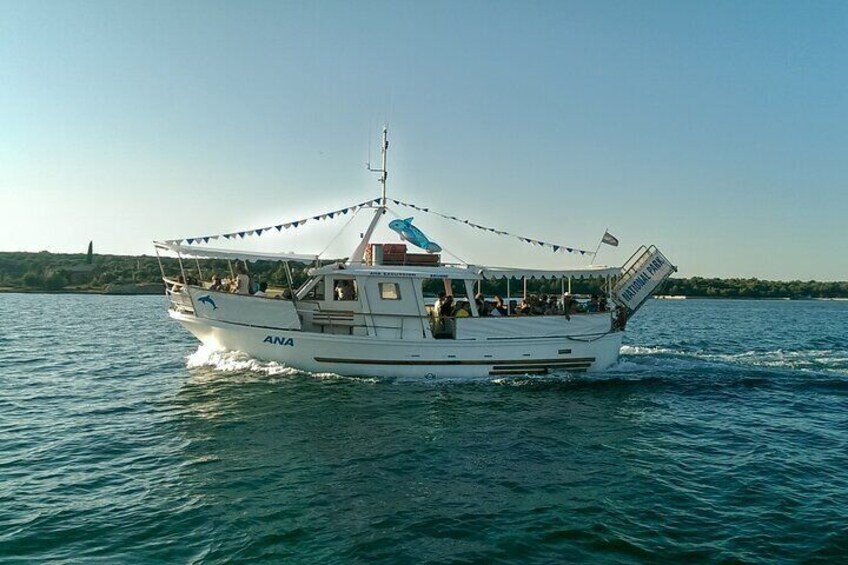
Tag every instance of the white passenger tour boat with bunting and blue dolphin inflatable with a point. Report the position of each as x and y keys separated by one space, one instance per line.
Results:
x=368 y=315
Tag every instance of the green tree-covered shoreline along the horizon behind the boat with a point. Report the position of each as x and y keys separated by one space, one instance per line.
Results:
x=59 y=272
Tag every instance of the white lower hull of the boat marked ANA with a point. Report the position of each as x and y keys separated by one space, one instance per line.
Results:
x=367 y=356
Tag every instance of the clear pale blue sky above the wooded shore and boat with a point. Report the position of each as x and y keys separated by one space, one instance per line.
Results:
x=715 y=130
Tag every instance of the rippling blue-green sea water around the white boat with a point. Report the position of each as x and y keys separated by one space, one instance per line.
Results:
x=721 y=436
